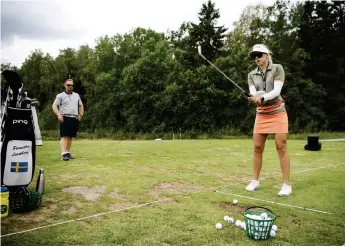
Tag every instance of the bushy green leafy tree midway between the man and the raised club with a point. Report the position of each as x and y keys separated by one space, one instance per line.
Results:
x=142 y=85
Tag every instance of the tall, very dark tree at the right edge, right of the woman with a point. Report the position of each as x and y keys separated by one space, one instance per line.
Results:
x=322 y=36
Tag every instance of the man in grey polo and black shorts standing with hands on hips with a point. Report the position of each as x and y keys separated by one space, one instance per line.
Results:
x=68 y=107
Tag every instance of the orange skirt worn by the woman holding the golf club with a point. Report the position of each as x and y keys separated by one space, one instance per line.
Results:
x=271 y=123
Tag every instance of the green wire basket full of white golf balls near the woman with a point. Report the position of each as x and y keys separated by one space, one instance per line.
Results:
x=258 y=229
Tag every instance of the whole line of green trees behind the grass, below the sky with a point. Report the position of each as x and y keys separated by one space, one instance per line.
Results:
x=145 y=82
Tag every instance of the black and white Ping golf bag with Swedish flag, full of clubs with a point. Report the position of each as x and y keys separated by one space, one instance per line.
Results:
x=18 y=143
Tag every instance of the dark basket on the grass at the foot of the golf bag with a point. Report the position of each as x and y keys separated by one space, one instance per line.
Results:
x=24 y=199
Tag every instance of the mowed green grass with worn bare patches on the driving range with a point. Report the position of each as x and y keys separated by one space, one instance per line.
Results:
x=112 y=175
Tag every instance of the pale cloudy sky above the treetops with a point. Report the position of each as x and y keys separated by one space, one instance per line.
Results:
x=53 y=25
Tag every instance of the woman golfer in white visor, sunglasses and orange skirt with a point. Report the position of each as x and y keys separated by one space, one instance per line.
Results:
x=265 y=83
